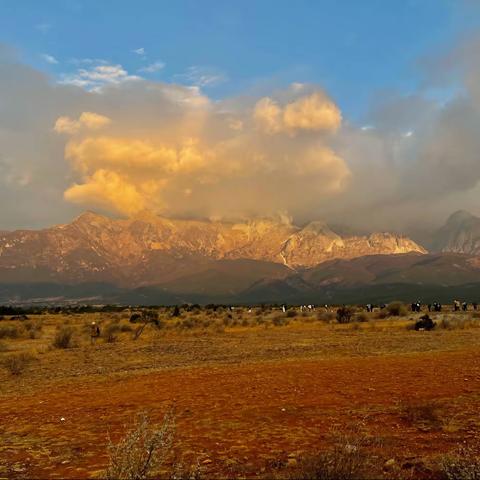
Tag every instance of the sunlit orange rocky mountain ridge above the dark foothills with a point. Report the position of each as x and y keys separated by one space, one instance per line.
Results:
x=149 y=249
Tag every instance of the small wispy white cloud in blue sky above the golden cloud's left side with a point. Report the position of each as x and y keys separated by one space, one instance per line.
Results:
x=98 y=76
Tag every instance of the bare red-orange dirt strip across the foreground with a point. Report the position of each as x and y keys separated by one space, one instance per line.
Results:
x=249 y=414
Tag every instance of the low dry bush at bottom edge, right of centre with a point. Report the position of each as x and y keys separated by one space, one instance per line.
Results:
x=346 y=460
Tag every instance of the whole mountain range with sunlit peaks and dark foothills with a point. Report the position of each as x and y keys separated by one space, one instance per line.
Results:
x=152 y=259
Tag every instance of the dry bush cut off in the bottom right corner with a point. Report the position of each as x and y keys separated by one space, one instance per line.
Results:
x=463 y=464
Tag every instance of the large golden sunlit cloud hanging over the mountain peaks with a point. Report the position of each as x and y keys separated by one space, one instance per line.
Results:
x=198 y=162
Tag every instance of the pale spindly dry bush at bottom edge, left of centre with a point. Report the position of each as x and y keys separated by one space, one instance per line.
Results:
x=142 y=450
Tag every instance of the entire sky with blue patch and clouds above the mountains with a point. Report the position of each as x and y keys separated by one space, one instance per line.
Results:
x=358 y=113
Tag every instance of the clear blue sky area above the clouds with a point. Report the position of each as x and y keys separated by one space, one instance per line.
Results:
x=351 y=48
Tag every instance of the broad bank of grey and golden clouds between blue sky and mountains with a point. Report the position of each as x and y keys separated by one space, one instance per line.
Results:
x=106 y=140
